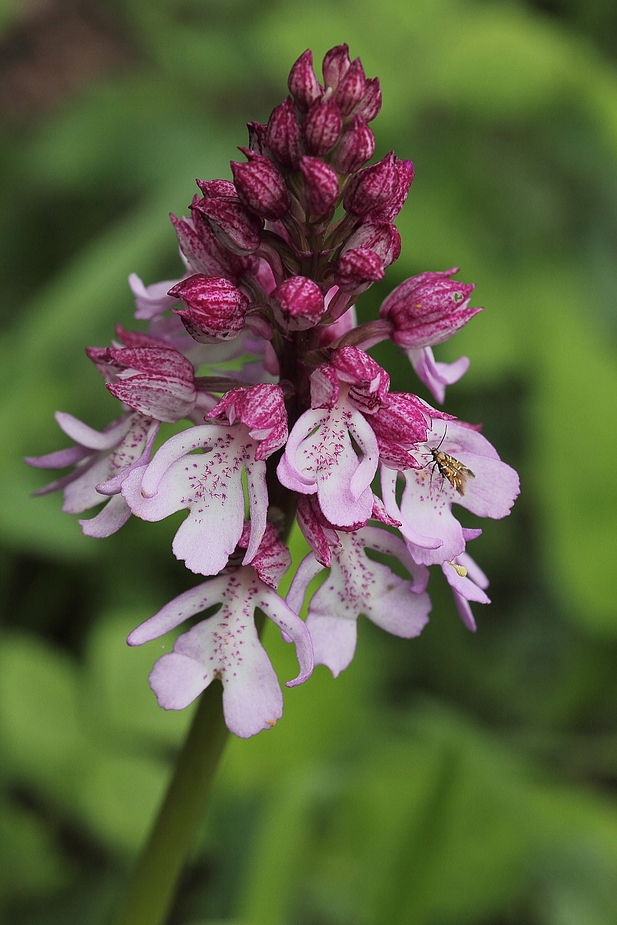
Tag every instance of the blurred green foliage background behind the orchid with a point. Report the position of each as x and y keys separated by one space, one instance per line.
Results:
x=449 y=780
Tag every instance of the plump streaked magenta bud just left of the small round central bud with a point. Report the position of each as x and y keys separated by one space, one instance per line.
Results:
x=215 y=308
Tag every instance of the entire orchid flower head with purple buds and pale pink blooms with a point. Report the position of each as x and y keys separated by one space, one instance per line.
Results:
x=306 y=426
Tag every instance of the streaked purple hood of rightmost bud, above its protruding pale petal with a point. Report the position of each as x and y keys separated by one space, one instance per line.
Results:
x=427 y=309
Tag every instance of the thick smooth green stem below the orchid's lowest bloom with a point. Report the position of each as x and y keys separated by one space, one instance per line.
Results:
x=154 y=883
